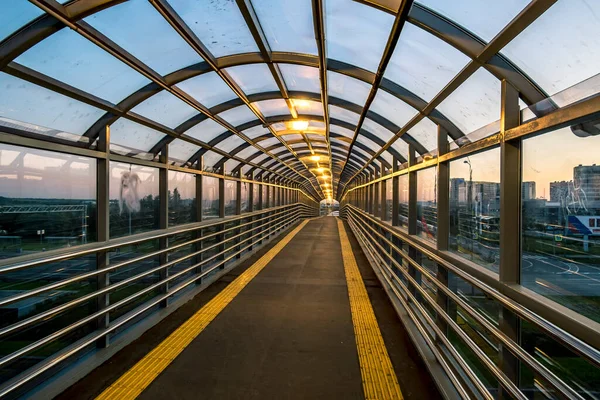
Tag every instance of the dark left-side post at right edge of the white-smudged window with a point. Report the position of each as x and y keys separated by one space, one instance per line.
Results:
x=163 y=196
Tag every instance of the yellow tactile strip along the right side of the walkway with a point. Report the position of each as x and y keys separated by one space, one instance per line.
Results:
x=378 y=376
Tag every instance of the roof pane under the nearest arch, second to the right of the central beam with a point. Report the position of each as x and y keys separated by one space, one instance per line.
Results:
x=423 y=63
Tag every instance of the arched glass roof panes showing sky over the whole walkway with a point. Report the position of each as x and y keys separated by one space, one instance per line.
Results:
x=59 y=85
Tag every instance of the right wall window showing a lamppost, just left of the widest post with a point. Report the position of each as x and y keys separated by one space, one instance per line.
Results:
x=475 y=208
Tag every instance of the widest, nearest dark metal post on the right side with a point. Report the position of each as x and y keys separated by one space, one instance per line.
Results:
x=510 y=223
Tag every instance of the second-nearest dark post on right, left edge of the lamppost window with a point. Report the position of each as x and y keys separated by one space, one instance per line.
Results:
x=443 y=221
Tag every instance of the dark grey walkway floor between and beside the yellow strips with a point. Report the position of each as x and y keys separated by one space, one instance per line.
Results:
x=287 y=335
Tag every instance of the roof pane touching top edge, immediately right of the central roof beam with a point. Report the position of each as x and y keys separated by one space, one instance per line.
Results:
x=356 y=33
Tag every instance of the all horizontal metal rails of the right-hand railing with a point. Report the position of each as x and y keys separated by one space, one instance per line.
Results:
x=360 y=222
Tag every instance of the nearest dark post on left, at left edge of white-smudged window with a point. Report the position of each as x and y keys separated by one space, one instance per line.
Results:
x=102 y=258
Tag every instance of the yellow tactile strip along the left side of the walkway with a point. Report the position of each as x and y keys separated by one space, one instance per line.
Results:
x=134 y=381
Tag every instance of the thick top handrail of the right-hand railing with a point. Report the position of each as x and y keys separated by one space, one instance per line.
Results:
x=573 y=343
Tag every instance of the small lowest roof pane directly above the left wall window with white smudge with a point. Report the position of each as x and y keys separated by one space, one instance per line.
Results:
x=127 y=136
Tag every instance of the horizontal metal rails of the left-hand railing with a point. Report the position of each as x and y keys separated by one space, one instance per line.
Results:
x=259 y=227
